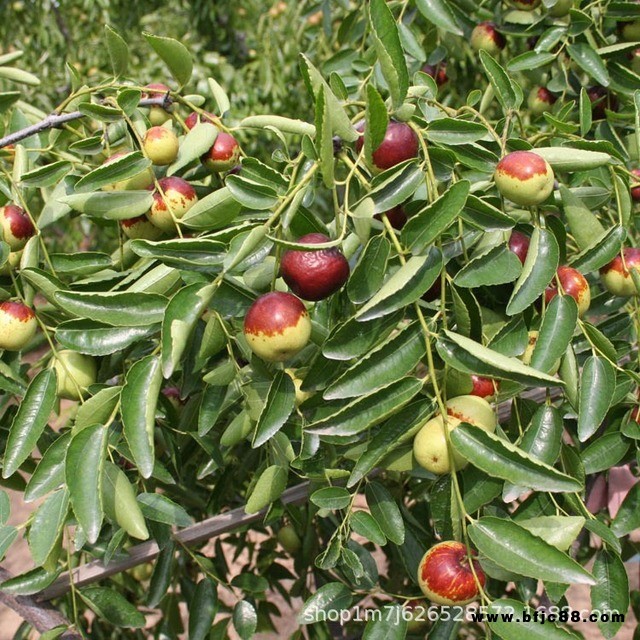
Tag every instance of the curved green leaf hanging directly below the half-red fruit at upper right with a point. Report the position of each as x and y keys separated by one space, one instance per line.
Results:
x=537 y=272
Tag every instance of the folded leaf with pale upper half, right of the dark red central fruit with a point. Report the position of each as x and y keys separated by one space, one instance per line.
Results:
x=404 y=287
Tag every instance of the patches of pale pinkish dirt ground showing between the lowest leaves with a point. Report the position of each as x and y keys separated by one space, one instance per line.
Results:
x=18 y=560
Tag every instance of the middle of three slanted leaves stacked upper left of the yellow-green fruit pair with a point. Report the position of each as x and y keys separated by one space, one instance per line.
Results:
x=365 y=411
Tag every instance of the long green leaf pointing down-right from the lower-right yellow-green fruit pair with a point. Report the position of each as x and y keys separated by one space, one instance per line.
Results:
x=501 y=459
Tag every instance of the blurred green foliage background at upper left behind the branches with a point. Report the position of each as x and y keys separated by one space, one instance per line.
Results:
x=250 y=46
